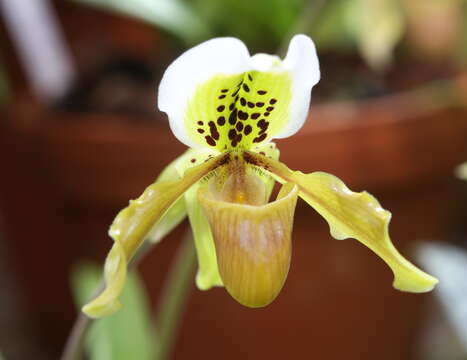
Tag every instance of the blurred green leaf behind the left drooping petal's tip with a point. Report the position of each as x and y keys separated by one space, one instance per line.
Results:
x=128 y=333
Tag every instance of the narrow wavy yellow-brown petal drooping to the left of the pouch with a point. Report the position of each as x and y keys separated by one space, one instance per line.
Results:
x=132 y=226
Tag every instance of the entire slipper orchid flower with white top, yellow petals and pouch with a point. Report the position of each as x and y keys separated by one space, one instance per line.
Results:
x=227 y=107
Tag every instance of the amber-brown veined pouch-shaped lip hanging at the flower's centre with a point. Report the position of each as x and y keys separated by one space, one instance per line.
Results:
x=252 y=238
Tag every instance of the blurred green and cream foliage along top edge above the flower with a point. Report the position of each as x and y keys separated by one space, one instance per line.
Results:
x=374 y=28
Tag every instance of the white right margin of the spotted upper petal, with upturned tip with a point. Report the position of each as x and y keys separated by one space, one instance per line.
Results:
x=303 y=64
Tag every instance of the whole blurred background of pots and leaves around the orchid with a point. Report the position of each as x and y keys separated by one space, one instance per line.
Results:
x=80 y=135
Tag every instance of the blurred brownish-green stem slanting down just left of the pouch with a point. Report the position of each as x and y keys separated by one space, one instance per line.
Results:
x=174 y=296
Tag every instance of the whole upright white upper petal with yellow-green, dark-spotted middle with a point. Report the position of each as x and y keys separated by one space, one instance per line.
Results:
x=216 y=96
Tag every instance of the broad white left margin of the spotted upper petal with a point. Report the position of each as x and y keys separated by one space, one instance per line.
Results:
x=220 y=56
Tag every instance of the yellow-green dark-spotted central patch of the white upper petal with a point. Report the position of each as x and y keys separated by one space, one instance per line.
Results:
x=239 y=111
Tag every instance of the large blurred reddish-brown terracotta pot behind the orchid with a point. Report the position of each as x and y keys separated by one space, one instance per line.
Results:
x=67 y=175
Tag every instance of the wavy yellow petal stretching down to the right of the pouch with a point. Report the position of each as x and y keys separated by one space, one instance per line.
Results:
x=351 y=215
